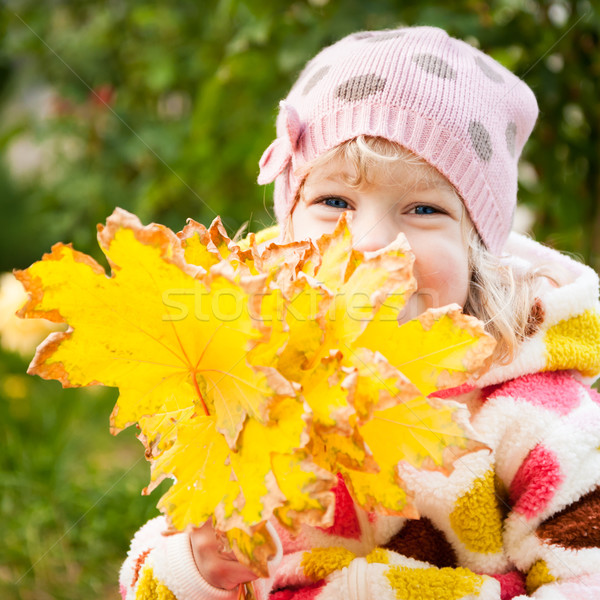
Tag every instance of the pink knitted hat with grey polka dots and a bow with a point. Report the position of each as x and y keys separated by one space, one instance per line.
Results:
x=444 y=100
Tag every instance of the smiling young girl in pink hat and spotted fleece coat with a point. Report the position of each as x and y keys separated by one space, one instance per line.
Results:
x=415 y=132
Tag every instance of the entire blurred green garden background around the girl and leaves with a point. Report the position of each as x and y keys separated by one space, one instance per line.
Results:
x=165 y=110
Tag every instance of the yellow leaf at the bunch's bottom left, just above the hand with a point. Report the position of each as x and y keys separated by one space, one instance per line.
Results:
x=242 y=488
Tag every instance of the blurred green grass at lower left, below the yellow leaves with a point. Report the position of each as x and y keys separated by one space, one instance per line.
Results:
x=69 y=494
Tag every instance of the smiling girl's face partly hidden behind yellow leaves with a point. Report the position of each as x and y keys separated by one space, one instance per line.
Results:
x=413 y=199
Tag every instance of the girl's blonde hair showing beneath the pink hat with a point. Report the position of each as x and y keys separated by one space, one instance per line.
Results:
x=498 y=295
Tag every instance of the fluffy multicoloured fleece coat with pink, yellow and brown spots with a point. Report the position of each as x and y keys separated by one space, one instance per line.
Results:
x=520 y=521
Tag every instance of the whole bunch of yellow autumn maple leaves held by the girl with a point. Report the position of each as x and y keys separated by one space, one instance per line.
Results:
x=257 y=373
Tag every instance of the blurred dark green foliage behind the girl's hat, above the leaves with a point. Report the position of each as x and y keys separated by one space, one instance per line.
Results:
x=165 y=111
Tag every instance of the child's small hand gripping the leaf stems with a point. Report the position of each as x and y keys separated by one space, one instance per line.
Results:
x=219 y=569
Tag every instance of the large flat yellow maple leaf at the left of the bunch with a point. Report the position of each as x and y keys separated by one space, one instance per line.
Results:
x=157 y=328
